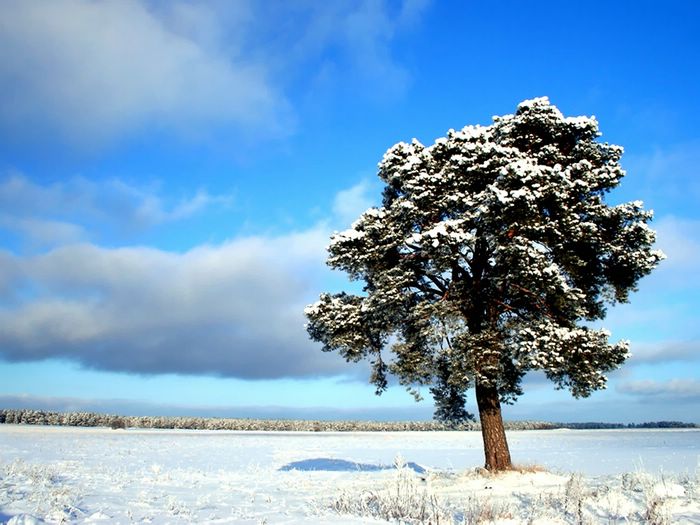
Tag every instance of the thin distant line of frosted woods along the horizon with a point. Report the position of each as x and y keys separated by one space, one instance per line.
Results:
x=92 y=419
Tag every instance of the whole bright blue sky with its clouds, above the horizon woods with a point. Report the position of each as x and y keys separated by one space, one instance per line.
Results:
x=170 y=173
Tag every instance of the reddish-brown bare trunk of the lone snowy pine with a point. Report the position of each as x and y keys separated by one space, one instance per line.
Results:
x=492 y=430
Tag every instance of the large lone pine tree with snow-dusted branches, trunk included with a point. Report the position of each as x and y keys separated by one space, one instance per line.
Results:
x=492 y=253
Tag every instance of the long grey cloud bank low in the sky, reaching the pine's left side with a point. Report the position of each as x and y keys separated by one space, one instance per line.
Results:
x=234 y=309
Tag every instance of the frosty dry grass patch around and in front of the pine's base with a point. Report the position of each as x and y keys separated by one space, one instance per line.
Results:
x=529 y=497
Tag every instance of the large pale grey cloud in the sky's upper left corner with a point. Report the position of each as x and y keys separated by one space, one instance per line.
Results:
x=94 y=70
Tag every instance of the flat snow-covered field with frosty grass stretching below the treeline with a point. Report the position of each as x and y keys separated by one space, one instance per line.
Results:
x=94 y=475
